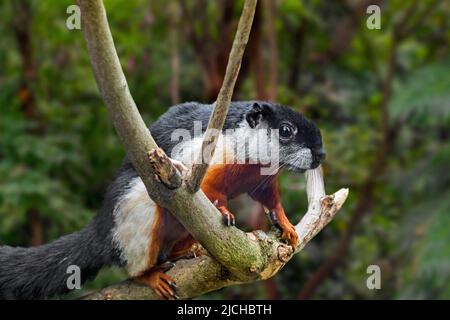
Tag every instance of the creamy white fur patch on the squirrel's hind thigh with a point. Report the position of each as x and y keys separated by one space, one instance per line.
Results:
x=134 y=216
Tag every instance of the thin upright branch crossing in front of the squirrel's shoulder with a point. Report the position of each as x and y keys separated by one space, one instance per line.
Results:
x=222 y=104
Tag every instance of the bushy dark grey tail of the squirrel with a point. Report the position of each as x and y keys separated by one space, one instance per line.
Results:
x=44 y=271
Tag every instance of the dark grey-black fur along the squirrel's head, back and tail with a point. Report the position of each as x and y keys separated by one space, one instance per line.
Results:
x=41 y=272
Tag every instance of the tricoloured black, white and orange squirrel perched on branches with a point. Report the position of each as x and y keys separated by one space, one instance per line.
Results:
x=133 y=232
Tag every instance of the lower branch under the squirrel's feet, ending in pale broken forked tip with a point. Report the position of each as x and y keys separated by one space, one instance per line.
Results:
x=204 y=274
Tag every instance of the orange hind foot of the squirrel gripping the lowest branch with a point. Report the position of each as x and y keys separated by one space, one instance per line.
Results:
x=161 y=283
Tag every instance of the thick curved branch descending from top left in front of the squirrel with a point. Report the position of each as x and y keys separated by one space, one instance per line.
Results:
x=199 y=216
